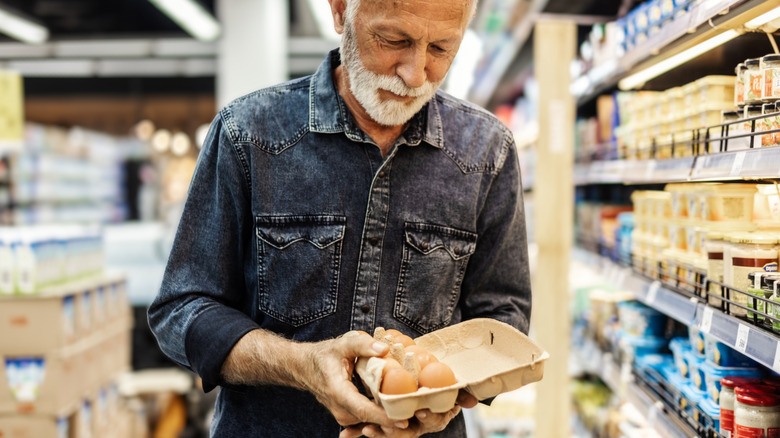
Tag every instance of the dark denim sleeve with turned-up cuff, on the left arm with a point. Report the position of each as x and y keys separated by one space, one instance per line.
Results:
x=201 y=309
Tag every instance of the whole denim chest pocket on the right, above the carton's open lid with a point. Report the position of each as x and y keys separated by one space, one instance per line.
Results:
x=432 y=269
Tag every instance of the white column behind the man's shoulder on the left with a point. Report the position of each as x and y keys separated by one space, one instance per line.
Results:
x=252 y=48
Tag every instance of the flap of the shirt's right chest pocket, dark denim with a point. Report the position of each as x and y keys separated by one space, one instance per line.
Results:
x=427 y=238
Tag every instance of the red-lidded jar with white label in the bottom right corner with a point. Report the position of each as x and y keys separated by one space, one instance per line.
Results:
x=756 y=411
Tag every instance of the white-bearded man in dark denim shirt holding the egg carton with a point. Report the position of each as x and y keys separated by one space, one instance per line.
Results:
x=355 y=198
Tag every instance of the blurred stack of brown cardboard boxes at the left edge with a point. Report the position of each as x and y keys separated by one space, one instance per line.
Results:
x=61 y=354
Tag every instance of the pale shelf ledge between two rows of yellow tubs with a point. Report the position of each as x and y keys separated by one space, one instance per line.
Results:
x=757 y=163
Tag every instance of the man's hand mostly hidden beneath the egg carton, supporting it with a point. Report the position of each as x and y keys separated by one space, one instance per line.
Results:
x=424 y=421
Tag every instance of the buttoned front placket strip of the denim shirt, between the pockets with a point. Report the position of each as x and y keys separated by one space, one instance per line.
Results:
x=367 y=281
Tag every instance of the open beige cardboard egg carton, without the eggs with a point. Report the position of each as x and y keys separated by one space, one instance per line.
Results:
x=488 y=358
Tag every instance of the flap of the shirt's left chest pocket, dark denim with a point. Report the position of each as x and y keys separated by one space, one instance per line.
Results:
x=282 y=231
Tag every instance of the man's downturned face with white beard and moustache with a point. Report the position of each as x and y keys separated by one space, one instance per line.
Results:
x=397 y=52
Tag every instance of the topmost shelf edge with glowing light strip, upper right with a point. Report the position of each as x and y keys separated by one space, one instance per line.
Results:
x=704 y=21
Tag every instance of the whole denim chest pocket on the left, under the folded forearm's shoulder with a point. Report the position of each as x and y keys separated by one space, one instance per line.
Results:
x=298 y=265
